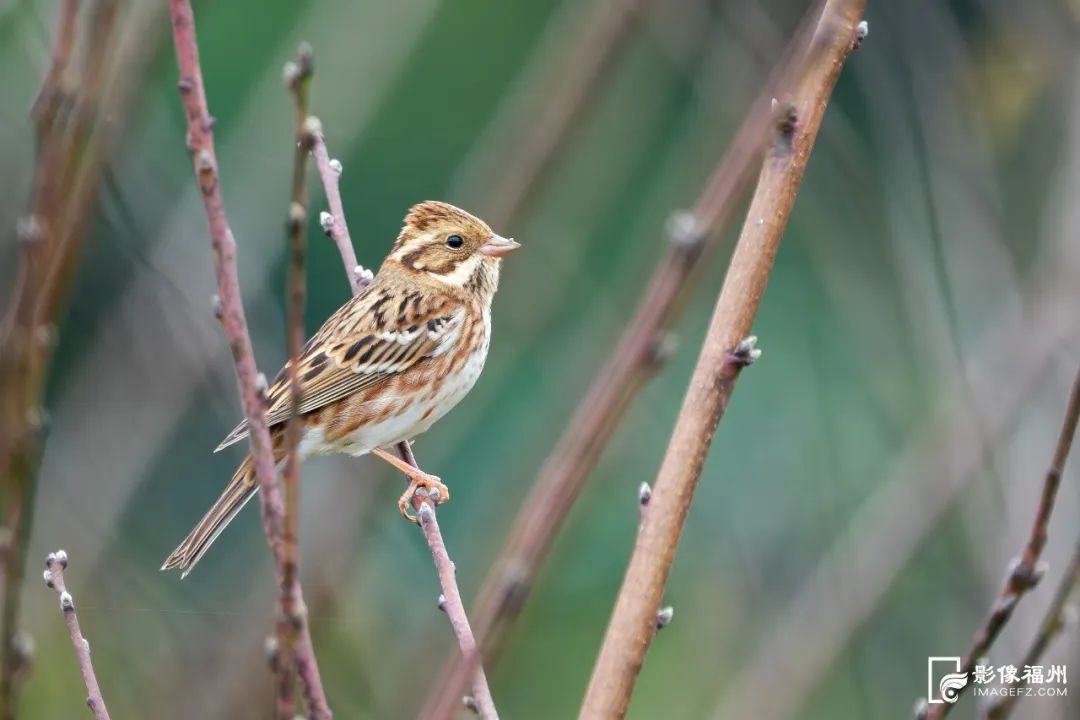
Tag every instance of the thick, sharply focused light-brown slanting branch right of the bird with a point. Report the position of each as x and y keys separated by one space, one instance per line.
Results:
x=633 y=620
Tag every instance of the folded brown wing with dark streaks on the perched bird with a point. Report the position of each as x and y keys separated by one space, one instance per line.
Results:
x=373 y=337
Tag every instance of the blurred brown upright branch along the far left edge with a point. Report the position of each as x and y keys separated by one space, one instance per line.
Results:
x=72 y=141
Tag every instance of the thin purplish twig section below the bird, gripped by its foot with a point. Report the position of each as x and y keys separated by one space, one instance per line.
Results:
x=451 y=600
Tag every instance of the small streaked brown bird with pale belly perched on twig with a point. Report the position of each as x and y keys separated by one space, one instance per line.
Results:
x=386 y=366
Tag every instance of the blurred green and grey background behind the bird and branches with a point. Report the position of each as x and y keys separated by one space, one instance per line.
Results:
x=875 y=472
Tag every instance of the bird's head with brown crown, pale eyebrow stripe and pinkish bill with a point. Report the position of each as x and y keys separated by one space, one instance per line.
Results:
x=451 y=247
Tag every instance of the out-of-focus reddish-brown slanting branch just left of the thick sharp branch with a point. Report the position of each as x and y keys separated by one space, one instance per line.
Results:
x=693 y=240
